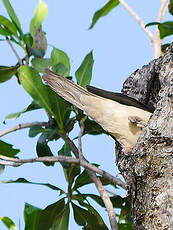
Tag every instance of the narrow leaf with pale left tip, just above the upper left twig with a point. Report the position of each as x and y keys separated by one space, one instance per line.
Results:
x=31 y=107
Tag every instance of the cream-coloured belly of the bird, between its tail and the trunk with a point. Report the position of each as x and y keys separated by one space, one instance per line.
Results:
x=113 y=117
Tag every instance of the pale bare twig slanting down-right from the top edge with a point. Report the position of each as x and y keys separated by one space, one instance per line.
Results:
x=138 y=19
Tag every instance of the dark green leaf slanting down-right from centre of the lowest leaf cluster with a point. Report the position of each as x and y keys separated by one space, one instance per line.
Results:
x=83 y=217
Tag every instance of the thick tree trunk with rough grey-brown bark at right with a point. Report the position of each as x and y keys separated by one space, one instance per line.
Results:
x=148 y=168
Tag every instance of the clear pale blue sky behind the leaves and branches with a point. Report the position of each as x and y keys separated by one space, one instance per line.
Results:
x=119 y=46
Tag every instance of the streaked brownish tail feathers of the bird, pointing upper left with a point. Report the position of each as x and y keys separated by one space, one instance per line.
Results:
x=65 y=88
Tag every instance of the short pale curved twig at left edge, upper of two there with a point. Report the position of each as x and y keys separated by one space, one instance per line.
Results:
x=23 y=126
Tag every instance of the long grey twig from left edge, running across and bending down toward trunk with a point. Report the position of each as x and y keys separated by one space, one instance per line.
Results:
x=9 y=161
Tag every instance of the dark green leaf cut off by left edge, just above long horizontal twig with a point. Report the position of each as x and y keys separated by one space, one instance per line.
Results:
x=7 y=149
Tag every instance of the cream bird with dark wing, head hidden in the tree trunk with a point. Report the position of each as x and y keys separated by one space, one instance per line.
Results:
x=121 y=116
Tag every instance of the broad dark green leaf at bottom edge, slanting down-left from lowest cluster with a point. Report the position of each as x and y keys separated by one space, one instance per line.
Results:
x=49 y=214
